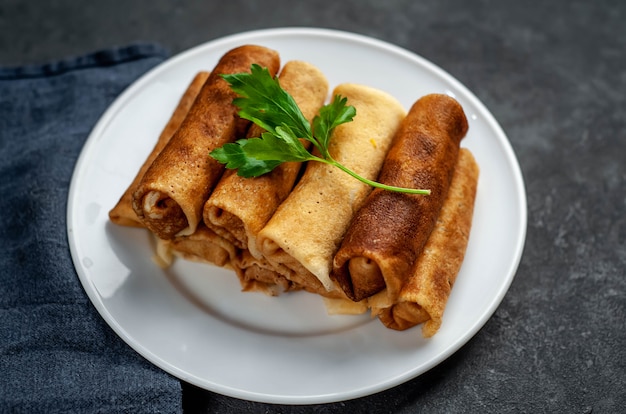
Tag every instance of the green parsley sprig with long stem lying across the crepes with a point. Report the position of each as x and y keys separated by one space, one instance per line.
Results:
x=265 y=103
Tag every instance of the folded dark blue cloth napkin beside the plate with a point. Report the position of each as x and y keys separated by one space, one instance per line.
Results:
x=56 y=353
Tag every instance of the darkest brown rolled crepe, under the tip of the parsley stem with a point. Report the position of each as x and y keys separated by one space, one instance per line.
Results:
x=389 y=232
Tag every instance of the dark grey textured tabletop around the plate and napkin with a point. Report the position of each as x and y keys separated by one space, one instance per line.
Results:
x=554 y=75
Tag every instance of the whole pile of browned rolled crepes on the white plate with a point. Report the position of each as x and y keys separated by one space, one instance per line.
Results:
x=310 y=226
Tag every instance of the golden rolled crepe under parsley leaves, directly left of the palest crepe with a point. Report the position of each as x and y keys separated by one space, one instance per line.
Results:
x=238 y=207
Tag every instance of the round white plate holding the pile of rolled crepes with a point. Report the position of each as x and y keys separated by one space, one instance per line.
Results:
x=192 y=320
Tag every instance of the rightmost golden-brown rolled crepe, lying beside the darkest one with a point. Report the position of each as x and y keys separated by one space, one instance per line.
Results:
x=424 y=296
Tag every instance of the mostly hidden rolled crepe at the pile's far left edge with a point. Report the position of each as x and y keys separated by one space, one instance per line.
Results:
x=122 y=213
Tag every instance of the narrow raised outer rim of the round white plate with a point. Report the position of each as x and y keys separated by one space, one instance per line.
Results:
x=148 y=76
